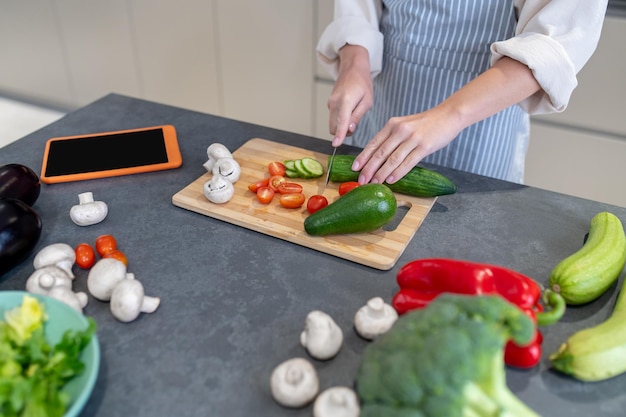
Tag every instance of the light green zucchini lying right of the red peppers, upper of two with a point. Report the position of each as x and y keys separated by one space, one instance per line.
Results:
x=588 y=273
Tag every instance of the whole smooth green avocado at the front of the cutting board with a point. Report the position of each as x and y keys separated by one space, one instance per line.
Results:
x=364 y=209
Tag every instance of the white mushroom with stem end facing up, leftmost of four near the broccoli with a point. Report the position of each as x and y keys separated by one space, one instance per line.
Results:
x=294 y=383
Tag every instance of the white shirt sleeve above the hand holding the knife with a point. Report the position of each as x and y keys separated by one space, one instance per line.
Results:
x=355 y=22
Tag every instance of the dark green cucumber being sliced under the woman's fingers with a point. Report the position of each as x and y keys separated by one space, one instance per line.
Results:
x=419 y=182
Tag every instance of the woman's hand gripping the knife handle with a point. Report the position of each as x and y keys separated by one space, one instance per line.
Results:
x=353 y=93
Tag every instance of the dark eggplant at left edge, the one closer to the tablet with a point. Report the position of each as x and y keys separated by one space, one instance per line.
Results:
x=19 y=182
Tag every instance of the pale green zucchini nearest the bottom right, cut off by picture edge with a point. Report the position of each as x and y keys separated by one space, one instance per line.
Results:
x=599 y=352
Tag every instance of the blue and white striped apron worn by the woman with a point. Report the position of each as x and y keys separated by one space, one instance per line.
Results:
x=433 y=48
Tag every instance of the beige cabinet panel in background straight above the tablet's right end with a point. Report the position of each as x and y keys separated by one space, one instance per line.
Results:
x=177 y=53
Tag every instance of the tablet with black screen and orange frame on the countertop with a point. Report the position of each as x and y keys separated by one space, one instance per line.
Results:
x=109 y=154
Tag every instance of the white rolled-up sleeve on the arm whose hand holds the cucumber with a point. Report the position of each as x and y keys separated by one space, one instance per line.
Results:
x=555 y=39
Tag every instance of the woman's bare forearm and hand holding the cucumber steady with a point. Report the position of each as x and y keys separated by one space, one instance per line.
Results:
x=405 y=141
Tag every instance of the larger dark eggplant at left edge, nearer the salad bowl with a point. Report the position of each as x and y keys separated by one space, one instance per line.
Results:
x=20 y=229
